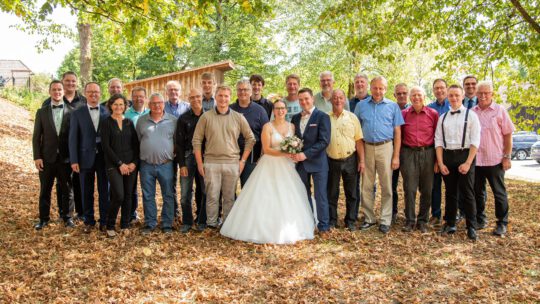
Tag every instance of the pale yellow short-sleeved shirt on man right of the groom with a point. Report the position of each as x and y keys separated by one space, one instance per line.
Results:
x=346 y=131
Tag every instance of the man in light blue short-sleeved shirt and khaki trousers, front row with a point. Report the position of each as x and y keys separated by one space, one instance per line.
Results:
x=381 y=121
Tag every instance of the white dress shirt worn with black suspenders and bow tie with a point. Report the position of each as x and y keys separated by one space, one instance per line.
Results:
x=453 y=130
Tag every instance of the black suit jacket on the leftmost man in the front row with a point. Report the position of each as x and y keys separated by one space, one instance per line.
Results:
x=46 y=143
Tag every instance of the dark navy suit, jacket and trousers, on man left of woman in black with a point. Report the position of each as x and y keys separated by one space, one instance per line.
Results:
x=85 y=150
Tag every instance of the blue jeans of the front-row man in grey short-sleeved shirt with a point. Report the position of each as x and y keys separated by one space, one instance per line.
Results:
x=163 y=173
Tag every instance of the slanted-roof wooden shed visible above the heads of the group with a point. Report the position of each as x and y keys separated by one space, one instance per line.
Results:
x=189 y=78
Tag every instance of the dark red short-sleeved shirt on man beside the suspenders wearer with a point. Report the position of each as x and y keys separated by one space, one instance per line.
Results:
x=419 y=128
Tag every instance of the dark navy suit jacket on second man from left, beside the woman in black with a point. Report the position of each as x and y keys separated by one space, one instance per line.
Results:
x=82 y=136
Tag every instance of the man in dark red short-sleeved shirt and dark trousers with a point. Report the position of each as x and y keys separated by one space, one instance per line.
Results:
x=417 y=158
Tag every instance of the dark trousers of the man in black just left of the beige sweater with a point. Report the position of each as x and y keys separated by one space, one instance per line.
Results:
x=186 y=188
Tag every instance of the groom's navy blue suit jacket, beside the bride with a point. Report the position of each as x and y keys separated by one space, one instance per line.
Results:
x=316 y=138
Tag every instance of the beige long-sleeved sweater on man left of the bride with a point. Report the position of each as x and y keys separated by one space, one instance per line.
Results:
x=220 y=133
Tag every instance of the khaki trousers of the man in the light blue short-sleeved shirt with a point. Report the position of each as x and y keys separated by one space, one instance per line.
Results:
x=378 y=162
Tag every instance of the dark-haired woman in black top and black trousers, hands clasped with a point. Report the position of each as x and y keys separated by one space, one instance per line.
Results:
x=121 y=147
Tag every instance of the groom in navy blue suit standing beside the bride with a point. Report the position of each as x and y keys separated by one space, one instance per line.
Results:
x=313 y=126
